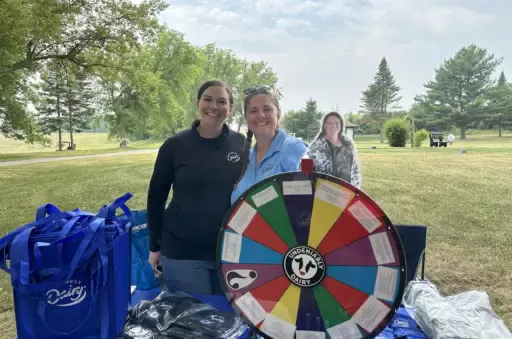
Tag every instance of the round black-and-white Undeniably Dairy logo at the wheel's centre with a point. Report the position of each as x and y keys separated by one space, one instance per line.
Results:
x=304 y=266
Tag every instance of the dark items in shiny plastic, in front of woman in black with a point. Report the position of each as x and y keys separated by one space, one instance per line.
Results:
x=180 y=316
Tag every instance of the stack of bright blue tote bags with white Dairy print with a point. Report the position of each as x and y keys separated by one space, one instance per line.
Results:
x=70 y=272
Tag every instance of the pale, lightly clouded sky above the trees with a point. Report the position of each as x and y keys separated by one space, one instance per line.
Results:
x=329 y=50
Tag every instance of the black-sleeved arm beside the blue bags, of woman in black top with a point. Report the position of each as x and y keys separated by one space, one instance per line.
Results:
x=158 y=193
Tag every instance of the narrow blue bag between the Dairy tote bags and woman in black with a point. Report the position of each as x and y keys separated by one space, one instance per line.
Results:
x=143 y=276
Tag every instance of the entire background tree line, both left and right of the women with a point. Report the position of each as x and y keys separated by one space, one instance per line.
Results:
x=66 y=66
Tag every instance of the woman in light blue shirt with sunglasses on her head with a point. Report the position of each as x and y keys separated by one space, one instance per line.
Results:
x=275 y=151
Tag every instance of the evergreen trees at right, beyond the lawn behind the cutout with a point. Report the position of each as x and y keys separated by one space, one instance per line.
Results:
x=463 y=95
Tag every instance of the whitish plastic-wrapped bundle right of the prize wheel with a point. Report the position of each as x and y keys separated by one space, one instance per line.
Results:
x=463 y=316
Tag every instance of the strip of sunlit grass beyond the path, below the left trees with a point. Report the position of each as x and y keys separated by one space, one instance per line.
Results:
x=87 y=143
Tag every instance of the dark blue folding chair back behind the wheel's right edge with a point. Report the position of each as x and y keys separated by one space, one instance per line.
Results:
x=414 y=241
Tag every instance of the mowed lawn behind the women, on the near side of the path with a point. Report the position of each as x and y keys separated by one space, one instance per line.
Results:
x=465 y=199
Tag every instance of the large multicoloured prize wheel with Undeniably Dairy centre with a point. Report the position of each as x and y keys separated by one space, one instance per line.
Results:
x=310 y=256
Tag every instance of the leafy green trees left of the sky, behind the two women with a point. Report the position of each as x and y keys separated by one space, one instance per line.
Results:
x=89 y=62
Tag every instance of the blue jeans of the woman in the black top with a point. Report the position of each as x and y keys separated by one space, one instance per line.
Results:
x=191 y=276
